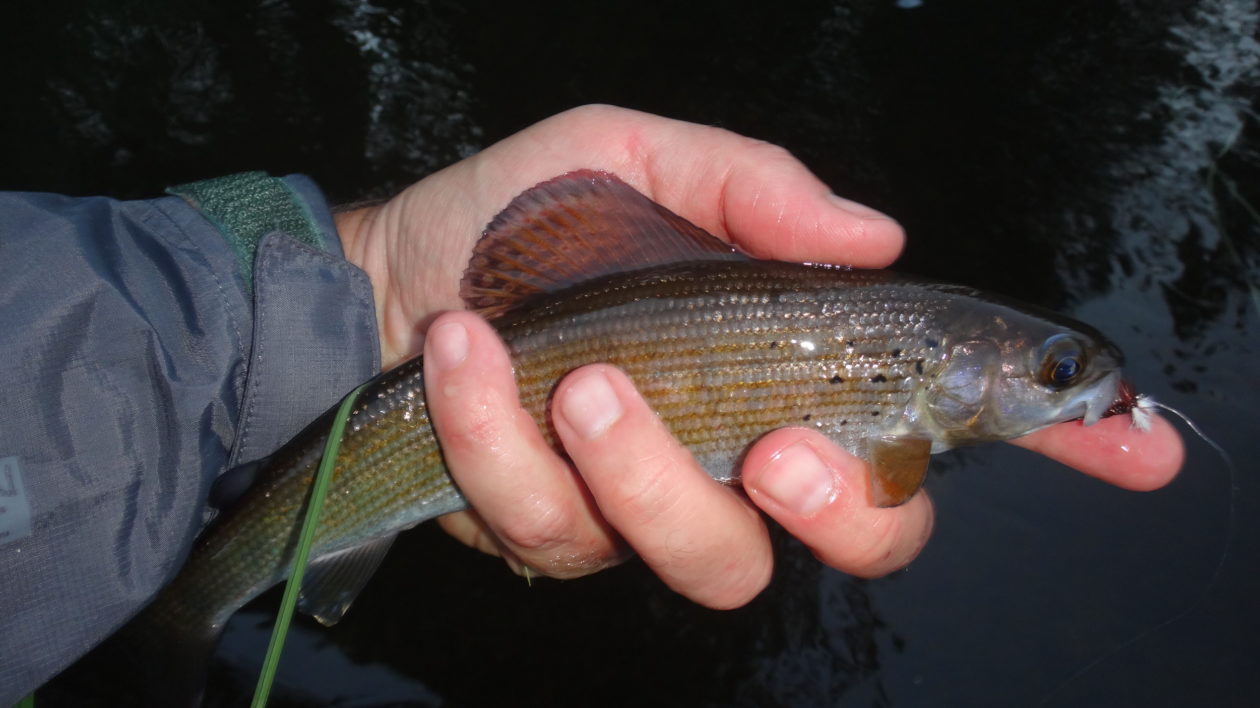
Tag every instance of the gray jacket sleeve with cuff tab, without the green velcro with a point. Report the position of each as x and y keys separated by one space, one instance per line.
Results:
x=139 y=363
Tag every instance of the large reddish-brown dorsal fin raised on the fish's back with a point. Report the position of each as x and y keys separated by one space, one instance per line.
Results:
x=573 y=229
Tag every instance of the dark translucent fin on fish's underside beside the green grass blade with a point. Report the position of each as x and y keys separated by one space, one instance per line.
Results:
x=332 y=583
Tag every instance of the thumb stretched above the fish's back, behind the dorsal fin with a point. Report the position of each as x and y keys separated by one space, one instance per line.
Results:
x=750 y=192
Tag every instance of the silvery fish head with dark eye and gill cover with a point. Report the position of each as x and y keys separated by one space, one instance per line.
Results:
x=1007 y=371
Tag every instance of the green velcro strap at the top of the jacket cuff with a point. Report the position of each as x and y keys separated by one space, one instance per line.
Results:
x=248 y=207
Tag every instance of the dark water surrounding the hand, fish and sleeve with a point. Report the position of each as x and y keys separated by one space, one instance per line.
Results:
x=1099 y=158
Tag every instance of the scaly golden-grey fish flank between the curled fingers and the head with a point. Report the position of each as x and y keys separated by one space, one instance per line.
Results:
x=734 y=343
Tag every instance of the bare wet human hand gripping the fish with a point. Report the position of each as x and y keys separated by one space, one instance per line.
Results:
x=632 y=486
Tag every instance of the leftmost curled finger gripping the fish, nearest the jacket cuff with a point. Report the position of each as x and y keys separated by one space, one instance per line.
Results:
x=525 y=494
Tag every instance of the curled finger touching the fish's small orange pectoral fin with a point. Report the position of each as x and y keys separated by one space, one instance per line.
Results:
x=822 y=496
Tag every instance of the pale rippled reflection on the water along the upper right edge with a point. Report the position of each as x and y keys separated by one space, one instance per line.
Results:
x=1185 y=225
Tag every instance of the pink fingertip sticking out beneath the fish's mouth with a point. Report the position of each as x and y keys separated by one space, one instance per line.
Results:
x=1114 y=452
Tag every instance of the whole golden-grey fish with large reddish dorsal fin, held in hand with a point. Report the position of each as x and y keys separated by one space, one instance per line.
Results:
x=725 y=348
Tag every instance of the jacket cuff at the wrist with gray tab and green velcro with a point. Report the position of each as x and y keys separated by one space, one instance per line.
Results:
x=314 y=317
